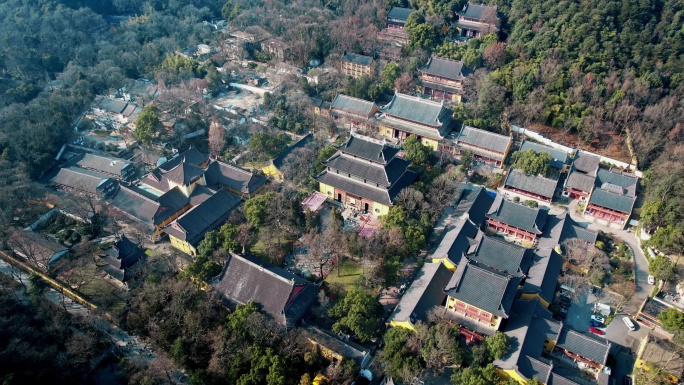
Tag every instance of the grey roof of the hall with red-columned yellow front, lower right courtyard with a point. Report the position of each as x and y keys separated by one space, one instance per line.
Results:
x=483 y=288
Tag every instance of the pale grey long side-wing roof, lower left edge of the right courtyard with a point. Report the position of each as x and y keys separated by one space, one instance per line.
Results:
x=426 y=292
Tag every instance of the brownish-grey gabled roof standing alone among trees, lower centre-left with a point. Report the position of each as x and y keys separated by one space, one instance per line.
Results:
x=281 y=294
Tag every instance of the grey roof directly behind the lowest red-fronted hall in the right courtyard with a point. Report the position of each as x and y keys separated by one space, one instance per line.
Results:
x=503 y=256
